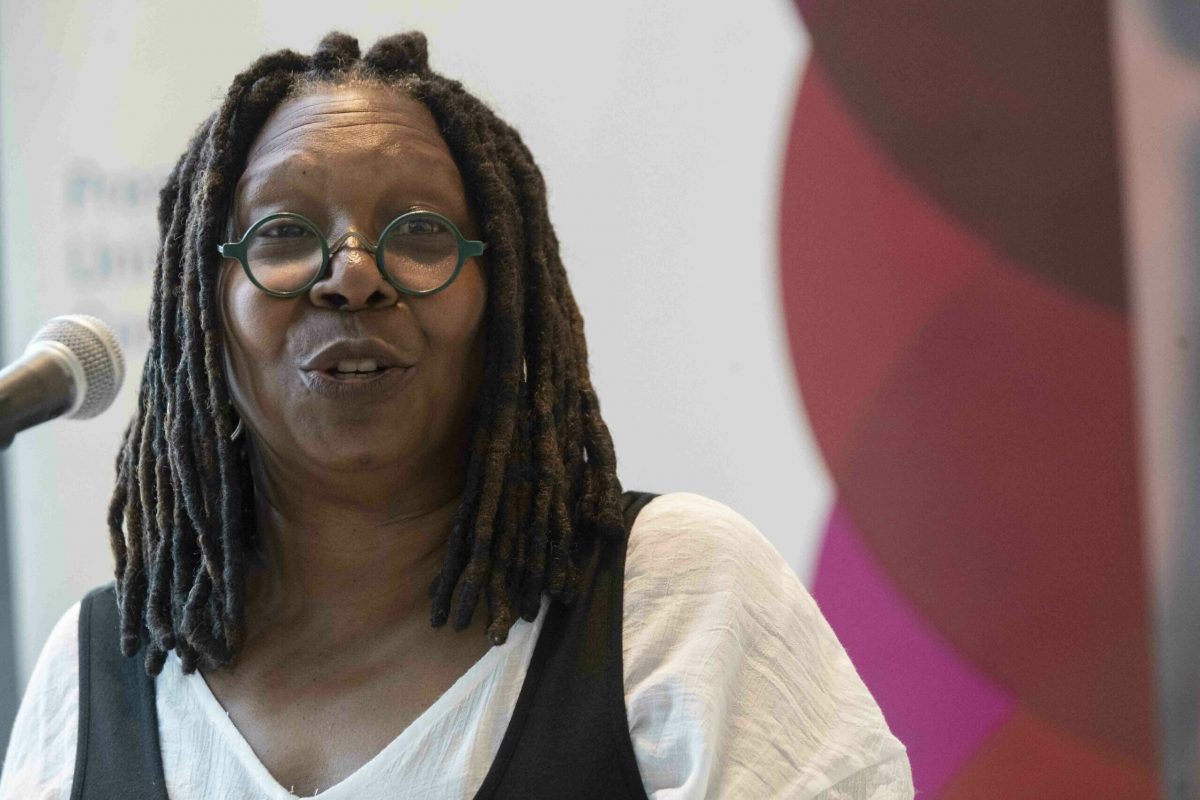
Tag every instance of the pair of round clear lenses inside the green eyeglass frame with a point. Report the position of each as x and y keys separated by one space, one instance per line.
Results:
x=419 y=254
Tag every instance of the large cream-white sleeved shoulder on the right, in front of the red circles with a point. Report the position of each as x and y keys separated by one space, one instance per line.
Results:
x=735 y=683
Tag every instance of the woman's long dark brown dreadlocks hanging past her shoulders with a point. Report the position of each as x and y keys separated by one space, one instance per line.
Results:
x=541 y=479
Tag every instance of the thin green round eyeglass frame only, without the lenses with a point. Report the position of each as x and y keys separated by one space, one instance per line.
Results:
x=467 y=249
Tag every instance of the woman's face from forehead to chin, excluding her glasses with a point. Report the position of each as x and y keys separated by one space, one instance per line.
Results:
x=355 y=159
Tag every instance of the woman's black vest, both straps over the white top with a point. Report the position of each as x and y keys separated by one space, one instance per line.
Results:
x=568 y=737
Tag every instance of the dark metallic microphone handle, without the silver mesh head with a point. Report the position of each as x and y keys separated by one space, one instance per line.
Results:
x=37 y=388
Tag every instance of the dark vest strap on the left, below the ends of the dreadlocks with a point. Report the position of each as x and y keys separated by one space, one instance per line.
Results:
x=117 y=755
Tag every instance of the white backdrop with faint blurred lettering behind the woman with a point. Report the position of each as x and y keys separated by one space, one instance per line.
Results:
x=659 y=129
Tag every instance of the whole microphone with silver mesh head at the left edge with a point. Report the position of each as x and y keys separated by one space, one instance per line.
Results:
x=73 y=368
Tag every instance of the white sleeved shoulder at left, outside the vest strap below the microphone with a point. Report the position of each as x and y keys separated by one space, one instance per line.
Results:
x=40 y=762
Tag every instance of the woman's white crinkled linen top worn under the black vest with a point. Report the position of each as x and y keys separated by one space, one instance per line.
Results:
x=735 y=688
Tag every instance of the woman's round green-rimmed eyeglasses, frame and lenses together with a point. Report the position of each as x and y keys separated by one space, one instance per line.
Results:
x=419 y=254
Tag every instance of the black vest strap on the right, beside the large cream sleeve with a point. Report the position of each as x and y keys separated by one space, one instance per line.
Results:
x=569 y=733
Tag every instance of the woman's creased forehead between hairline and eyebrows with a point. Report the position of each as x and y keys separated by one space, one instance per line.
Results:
x=363 y=136
